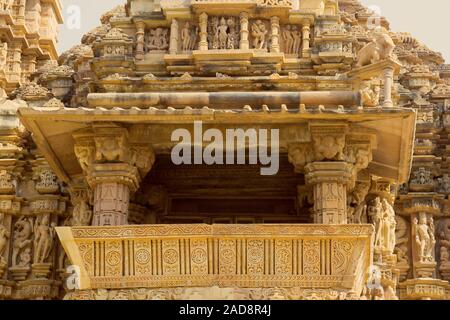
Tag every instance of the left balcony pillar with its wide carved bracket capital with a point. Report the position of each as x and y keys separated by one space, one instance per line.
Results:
x=114 y=169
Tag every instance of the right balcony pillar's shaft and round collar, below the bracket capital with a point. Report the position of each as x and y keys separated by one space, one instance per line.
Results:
x=329 y=181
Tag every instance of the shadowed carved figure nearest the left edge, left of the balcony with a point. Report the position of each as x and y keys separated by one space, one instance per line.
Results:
x=23 y=230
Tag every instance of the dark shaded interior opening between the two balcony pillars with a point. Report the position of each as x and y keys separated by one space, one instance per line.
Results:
x=221 y=194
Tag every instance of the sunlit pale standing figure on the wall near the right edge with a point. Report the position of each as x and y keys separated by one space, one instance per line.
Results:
x=424 y=238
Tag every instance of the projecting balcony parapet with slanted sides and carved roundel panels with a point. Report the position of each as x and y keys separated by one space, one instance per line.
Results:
x=227 y=256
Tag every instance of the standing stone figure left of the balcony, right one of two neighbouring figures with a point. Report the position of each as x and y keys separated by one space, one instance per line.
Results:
x=43 y=240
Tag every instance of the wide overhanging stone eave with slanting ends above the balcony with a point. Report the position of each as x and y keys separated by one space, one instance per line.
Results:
x=39 y=122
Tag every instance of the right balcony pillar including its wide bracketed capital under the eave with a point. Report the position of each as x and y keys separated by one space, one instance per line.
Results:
x=331 y=162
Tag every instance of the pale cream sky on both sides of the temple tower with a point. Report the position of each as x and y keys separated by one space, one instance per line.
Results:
x=427 y=20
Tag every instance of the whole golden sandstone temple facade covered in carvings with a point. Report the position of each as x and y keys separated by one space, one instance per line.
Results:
x=92 y=206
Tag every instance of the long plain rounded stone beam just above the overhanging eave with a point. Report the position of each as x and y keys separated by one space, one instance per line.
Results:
x=223 y=99
